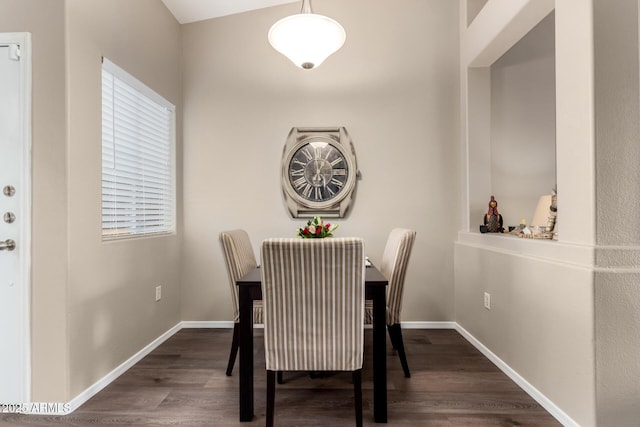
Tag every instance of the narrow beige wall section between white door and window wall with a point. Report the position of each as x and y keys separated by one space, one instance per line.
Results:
x=49 y=353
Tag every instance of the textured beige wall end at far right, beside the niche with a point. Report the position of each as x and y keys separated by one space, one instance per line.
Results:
x=617 y=279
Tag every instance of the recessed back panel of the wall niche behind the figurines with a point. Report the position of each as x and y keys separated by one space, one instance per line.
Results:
x=523 y=123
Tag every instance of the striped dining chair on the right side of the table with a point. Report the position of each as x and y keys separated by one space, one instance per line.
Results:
x=393 y=266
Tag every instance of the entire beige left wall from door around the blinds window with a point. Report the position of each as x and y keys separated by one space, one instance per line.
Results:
x=92 y=303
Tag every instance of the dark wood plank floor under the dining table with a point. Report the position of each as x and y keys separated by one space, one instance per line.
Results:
x=183 y=382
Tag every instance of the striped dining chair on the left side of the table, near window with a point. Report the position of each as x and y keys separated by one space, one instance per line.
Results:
x=239 y=260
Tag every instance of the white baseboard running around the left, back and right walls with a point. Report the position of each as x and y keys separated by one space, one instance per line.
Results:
x=67 y=408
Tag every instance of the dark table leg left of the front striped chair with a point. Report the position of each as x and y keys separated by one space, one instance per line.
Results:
x=246 y=353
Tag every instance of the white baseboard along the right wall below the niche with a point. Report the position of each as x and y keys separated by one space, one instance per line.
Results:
x=547 y=404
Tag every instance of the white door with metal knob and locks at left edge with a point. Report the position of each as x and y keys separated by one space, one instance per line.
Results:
x=15 y=216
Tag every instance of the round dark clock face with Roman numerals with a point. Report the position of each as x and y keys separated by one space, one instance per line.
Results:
x=318 y=171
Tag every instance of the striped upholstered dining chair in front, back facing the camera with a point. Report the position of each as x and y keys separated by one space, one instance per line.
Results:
x=313 y=294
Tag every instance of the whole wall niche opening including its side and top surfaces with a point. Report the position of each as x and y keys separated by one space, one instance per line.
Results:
x=511 y=111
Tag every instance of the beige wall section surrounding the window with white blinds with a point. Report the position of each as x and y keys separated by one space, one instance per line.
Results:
x=111 y=308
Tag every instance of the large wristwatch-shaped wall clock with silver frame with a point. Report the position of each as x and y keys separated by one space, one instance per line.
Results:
x=319 y=172
